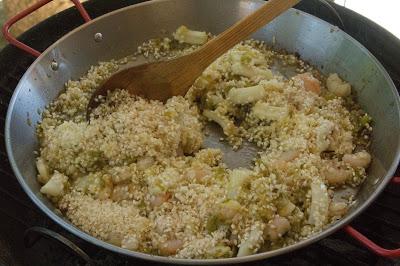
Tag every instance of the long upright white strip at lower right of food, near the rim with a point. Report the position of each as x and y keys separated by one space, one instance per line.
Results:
x=319 y=204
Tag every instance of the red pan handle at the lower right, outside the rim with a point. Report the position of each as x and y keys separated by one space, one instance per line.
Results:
x=388 y=253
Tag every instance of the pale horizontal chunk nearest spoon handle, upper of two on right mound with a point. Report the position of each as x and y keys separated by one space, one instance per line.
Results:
x=246 y=95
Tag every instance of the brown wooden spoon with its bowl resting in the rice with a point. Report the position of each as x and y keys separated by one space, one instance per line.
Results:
x=162 y=80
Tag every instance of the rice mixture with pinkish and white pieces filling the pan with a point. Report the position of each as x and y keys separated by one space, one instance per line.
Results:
x=139 y=177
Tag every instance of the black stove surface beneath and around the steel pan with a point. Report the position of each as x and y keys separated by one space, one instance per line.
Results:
x=381 y=222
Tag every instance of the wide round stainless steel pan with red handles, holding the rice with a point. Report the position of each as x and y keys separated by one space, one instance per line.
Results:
x=117 y=34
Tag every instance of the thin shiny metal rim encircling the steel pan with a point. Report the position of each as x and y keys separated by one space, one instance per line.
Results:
x=259 y=256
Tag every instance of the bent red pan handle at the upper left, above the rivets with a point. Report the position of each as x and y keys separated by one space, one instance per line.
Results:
x=7 y=25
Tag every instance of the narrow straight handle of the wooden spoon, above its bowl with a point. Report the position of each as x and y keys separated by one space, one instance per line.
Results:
x=242 y=30
